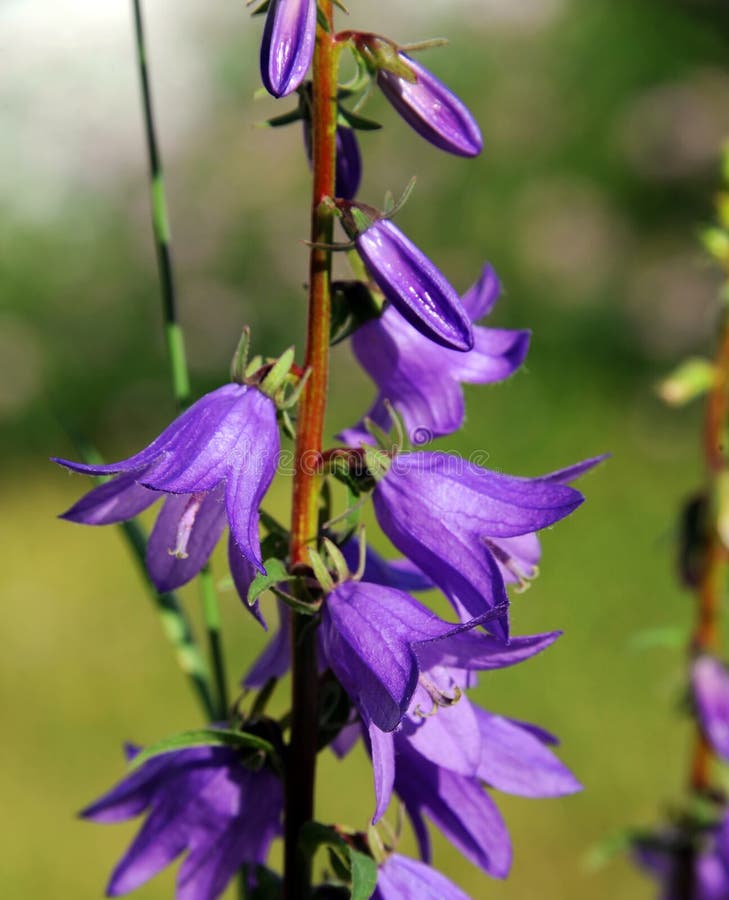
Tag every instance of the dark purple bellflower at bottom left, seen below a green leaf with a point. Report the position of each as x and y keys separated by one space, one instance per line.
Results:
x=202 y=801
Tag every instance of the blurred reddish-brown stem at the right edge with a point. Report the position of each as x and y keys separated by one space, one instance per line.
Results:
x=710 y=591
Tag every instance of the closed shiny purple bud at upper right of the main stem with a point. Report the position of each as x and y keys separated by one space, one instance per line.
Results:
x=431 y=109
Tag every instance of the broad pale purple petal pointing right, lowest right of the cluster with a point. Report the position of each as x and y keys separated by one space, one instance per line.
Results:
x=514 y=761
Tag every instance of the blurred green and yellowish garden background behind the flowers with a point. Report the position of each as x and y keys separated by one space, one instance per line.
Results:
x=602 y=122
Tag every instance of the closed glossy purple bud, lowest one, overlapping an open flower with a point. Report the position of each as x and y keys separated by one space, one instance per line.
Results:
x=407 y=278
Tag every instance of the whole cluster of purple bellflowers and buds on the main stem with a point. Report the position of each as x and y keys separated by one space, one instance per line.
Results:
x=401 y=674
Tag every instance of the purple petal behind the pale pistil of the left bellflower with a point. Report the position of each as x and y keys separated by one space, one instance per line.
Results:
x=186 y=524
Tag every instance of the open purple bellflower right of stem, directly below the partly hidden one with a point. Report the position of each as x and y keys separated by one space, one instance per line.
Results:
x=446 y=514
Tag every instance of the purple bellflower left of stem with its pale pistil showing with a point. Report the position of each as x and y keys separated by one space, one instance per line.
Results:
x=214 y=462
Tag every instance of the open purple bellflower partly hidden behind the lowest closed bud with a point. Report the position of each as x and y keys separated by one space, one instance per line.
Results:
x=421 y=380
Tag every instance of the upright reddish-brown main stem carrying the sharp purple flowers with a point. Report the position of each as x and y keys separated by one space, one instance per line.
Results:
x=301 y=764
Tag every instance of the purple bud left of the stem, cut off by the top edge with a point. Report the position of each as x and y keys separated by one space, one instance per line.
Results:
x=288 y=45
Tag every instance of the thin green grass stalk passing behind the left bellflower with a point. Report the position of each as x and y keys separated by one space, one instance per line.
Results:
x=174 y=335
